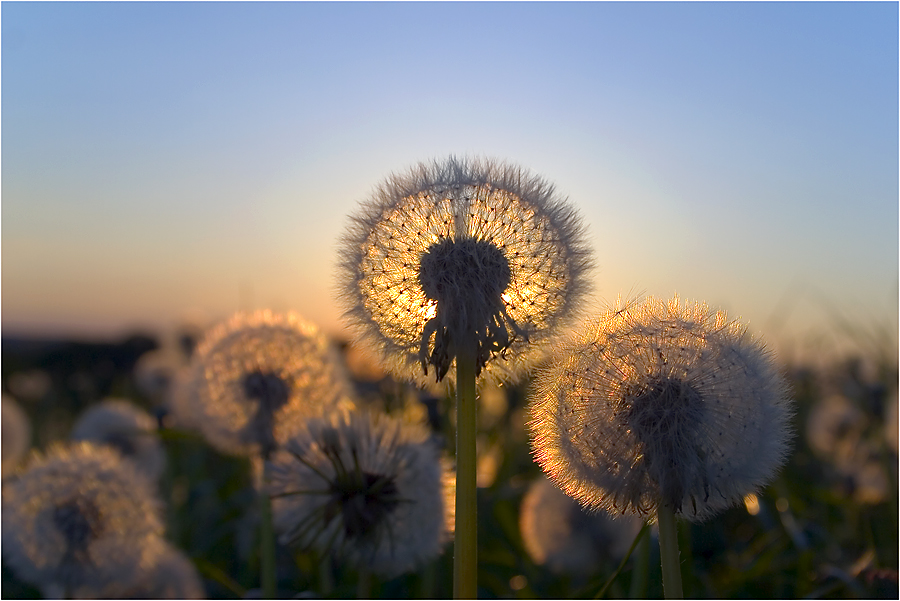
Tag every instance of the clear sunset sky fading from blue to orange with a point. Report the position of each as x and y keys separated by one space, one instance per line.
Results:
x=171 y=161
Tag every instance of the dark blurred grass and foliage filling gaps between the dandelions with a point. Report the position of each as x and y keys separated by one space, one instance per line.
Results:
x=827 y=527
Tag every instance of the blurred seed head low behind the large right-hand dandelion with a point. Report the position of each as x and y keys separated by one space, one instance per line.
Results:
x=559 y=533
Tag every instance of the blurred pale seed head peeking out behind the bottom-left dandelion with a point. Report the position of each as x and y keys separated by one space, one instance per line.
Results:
x=128 y=429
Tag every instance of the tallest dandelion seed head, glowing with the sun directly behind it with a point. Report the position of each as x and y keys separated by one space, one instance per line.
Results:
x=459 y=250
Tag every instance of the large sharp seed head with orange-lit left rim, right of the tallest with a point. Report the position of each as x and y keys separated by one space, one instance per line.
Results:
x=661 y=403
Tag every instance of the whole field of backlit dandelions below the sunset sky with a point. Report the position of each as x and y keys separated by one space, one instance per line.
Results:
x=471 y=441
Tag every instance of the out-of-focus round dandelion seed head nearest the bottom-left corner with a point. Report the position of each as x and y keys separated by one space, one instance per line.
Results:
x=79 y=515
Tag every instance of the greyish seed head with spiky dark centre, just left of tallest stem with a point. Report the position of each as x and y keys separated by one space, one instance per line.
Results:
x=368 y=488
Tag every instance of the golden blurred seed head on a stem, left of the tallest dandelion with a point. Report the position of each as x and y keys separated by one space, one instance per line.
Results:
x=257 y=377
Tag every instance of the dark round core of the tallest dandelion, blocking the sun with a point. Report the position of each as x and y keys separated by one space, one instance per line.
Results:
x=454 y=270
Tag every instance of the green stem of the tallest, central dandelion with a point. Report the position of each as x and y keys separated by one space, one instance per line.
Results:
x=465 y=545
